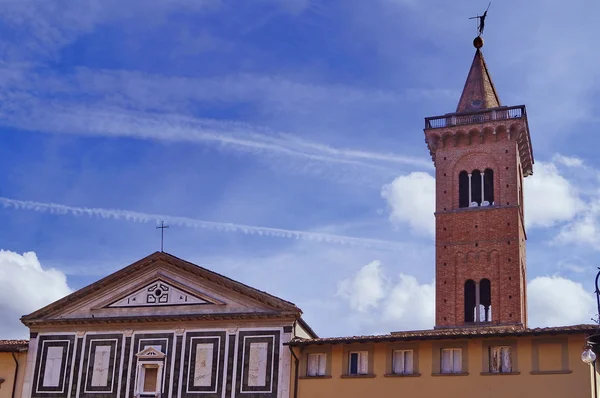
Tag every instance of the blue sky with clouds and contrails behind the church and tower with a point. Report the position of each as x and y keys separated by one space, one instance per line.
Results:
x=282 y=142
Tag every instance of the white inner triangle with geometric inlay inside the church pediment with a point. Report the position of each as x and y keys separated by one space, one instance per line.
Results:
x=161 y=292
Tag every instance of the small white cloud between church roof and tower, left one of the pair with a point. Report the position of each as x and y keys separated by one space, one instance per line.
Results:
x=366 y=289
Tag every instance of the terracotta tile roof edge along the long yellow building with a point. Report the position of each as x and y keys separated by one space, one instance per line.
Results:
x=454 y=333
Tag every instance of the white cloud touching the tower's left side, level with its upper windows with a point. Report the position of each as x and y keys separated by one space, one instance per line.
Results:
x=411 y=199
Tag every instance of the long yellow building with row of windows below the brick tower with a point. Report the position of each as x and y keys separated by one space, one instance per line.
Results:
x=488 y=361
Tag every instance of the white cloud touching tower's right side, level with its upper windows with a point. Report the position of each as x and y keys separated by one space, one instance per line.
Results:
x=549 y=197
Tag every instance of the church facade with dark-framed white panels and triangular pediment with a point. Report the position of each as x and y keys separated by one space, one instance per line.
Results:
x=162 y=327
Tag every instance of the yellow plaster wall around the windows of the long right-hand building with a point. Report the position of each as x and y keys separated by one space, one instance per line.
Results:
x=575 y=384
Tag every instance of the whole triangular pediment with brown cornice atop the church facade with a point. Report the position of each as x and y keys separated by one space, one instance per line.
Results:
x=162 y=287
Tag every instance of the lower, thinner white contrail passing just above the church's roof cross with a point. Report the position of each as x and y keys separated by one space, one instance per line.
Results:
x=133 y=216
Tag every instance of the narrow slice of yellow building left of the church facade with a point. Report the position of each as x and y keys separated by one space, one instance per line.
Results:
x=13 y=358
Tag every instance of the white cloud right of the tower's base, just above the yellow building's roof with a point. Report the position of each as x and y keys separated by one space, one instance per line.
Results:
x=557 y=301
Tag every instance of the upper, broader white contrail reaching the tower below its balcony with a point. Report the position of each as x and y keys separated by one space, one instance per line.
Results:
x=27 y=112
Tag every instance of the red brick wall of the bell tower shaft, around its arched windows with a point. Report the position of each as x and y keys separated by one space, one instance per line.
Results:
x=480 y=242
